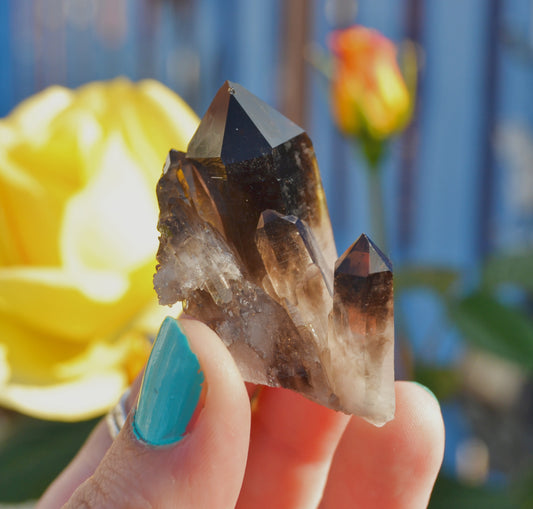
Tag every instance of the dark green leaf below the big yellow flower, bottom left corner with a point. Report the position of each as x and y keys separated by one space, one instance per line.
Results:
x=34 y=454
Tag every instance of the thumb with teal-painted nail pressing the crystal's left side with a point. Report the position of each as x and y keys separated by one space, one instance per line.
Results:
x=186 y=443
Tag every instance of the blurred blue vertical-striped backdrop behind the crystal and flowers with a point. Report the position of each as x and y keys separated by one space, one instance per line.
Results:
x=458 y=183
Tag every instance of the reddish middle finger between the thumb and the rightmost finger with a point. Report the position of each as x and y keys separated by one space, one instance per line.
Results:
x=292 y=443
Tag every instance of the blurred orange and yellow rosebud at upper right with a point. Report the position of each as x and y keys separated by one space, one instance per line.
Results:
x=369 y=95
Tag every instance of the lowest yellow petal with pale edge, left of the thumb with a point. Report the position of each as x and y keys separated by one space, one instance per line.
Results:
x=41 y=375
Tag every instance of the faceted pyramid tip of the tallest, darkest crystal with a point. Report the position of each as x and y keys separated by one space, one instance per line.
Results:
x=239 y=126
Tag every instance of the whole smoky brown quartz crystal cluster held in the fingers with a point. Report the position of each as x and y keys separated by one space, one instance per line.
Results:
x=246 y=244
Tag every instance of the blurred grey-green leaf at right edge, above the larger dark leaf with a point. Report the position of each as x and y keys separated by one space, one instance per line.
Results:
x=515 y=269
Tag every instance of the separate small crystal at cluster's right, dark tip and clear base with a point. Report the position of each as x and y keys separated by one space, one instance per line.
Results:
x=361 y=335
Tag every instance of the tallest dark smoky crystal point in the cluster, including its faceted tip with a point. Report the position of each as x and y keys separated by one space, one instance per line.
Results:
x=252 y=158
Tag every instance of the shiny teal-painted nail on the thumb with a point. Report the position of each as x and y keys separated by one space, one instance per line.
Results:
x=170 y=389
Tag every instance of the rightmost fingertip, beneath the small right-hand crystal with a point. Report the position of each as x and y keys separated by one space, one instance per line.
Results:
x=393 y=467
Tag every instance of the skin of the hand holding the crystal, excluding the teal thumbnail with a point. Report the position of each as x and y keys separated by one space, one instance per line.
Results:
x=282 y=452
